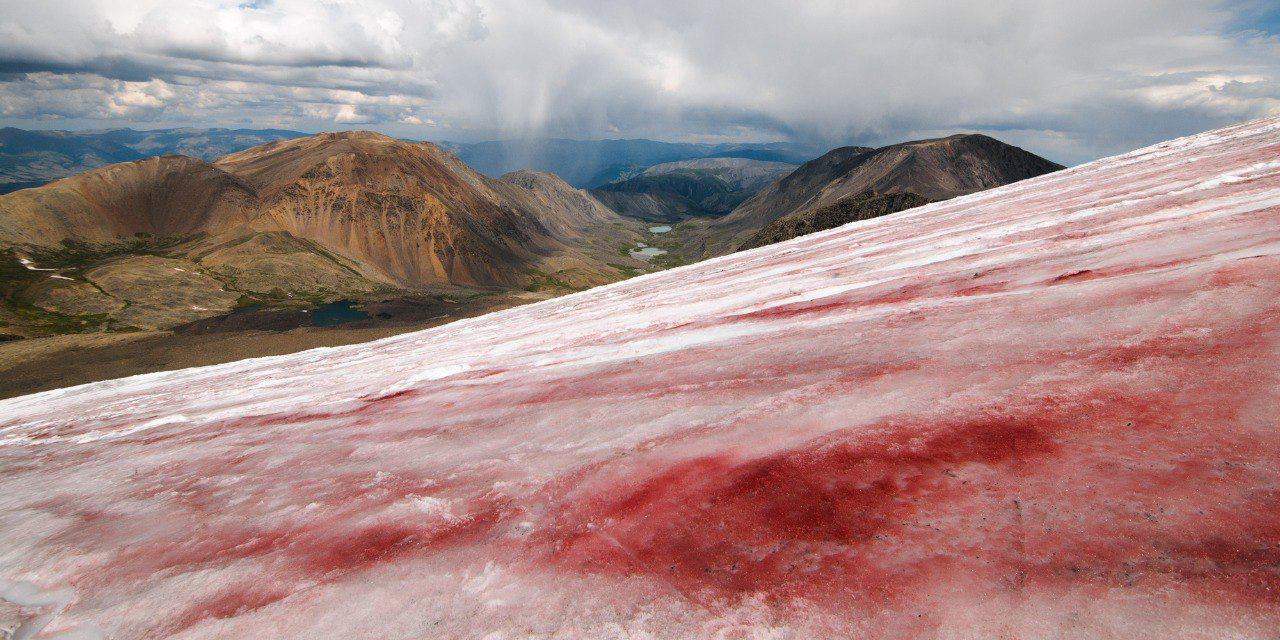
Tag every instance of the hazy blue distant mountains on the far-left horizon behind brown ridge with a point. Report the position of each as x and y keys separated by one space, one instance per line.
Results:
x=34 y=158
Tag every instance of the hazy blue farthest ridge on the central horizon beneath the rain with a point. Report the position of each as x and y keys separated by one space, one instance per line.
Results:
x=587 y=164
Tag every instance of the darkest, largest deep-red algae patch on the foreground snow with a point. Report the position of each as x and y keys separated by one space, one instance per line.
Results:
x=811 y=523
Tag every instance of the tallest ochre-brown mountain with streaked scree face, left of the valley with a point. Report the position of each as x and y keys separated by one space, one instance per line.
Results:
x=410 y=213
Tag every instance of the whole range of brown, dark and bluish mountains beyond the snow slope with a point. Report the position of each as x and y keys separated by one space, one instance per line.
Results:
x=171 y=240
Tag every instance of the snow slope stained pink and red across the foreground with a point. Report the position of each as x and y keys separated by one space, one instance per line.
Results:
x=1048 y=410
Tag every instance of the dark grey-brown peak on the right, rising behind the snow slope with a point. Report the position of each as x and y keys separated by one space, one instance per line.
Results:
x=938 y=170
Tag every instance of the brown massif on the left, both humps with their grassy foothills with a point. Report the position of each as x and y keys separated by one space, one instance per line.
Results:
x=317 y=218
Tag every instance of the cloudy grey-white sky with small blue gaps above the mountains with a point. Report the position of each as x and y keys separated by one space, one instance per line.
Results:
x=1072 y=81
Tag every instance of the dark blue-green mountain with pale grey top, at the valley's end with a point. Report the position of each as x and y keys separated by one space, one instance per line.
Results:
x=673 y=191
